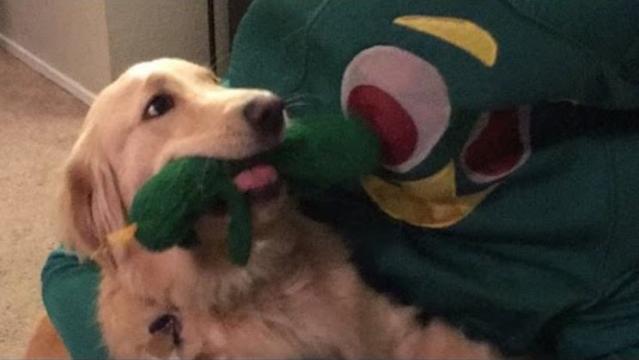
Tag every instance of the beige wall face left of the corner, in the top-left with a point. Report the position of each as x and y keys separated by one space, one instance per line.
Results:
x=61 y=37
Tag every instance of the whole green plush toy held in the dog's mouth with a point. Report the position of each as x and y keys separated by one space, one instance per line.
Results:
x=165 y=209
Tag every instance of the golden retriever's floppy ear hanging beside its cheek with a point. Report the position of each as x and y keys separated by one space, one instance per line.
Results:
x=92 y=207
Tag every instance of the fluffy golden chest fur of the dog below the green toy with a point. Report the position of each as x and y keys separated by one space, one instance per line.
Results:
x=299 y=296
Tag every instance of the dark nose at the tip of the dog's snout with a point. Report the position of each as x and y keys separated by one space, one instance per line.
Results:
x=266 y=115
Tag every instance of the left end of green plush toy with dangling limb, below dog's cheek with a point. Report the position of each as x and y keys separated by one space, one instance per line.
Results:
x=167 y=206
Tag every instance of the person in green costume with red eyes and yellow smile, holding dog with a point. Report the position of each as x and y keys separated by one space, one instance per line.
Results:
x=507 y=203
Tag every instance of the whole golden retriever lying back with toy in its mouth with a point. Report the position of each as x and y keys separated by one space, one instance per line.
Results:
x=298 y=296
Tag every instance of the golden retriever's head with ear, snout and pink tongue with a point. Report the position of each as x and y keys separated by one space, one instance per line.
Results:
x=155 y=112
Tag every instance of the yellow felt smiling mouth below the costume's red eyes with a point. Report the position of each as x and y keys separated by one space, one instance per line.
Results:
x=431 y=202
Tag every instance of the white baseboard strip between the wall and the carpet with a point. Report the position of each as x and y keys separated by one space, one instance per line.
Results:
x=50 y=72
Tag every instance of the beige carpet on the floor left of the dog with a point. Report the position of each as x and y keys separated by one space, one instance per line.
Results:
x=38 y=124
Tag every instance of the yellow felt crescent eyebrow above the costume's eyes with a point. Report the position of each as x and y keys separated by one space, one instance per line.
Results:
x=462 y=33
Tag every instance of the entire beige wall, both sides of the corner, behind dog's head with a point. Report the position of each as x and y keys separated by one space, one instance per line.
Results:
x=84 y=44
